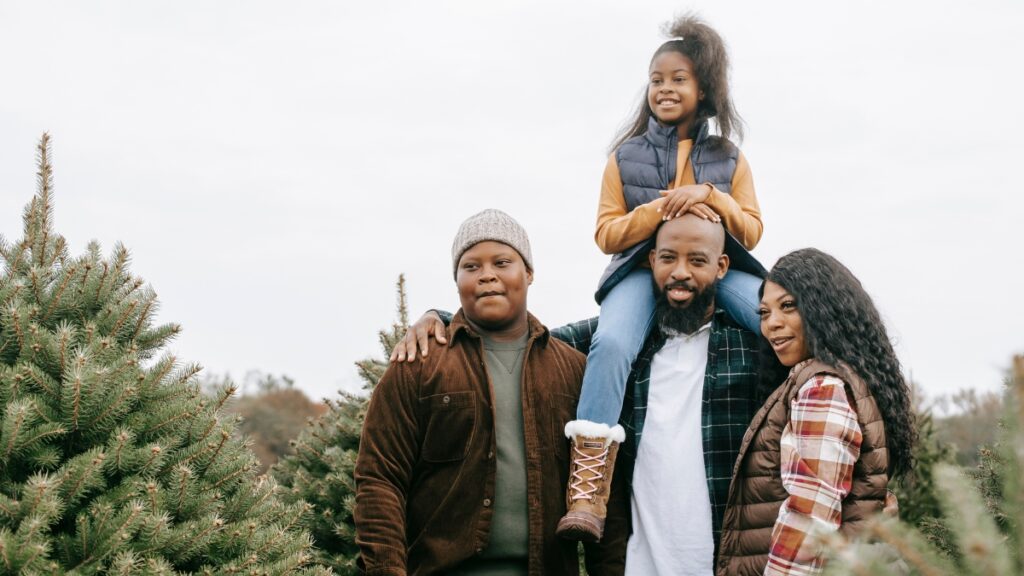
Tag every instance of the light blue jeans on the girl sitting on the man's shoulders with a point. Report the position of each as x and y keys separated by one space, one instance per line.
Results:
x=627 y=314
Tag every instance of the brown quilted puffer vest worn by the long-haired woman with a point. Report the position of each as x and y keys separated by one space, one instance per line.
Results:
x=756 y=493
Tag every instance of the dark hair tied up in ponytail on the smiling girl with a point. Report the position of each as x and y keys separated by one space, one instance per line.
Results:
x=698 y=42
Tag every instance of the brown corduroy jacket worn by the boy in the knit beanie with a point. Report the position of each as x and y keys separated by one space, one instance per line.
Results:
x=425 y=474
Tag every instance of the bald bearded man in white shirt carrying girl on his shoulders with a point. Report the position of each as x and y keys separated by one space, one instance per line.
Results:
x=690 y=398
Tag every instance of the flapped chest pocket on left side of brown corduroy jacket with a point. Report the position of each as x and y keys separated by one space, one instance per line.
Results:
x=451 y=426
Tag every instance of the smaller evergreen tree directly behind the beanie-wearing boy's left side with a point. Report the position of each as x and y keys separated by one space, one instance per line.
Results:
x=320 y=471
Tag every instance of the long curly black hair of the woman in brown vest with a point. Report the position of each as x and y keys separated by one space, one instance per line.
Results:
x=842 y=326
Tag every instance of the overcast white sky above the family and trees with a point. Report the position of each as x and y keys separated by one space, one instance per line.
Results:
x=274 y=167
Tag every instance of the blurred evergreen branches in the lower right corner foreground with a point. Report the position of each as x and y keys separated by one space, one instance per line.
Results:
x=979 y=531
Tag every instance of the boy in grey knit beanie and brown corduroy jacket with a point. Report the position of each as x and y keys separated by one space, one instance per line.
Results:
x=463 y=461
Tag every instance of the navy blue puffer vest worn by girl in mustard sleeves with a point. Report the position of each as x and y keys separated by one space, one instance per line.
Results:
x=648 y=166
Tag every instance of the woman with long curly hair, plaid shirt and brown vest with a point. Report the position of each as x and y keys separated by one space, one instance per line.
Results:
x=821 y=452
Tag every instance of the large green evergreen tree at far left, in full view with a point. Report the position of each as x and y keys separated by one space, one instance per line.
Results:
x=111 y=459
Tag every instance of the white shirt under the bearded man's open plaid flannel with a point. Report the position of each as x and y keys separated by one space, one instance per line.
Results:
x=672 y=526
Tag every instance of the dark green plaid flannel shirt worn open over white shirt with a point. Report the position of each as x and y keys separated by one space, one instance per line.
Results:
x=730 y=398
